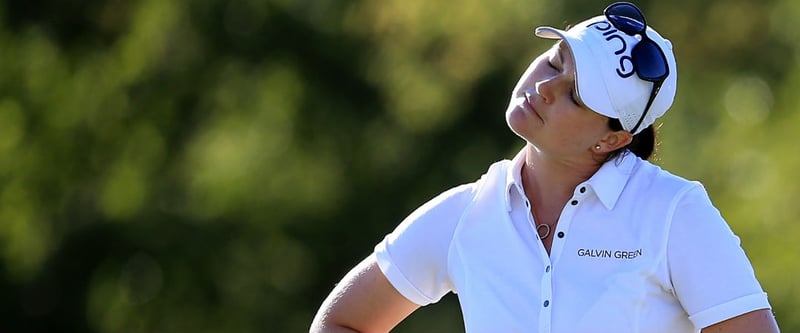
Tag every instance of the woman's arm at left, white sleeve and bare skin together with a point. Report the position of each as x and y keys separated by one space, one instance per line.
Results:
x=414 y=257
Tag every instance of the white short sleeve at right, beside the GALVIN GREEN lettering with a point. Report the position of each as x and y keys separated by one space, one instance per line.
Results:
x=710 y=272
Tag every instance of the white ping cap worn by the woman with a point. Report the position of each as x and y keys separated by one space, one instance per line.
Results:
x=605 y=79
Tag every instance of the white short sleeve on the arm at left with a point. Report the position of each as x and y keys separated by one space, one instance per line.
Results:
x=414 y=256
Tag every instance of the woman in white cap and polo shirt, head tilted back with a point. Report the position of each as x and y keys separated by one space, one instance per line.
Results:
x=578 y=233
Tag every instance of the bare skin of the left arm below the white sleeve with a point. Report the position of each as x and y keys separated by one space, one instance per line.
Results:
x=363 y=301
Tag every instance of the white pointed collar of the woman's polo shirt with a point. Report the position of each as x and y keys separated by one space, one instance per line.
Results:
x=607 y=183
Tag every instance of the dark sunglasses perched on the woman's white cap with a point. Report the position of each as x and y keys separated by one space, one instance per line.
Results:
x=648 y=59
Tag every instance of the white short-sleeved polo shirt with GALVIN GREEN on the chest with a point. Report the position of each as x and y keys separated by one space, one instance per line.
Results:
x=636 y=249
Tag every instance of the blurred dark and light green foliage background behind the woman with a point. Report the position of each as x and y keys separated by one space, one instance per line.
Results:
x=216 y=166
